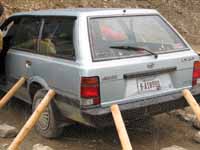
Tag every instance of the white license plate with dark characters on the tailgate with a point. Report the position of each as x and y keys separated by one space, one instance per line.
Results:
x=145 y=85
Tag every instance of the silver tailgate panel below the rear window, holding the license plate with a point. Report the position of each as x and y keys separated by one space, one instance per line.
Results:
x=129 y=80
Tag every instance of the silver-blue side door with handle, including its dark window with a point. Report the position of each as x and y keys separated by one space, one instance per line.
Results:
x=22 y=47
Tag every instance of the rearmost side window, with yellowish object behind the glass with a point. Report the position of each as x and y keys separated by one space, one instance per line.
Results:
x=57 y=37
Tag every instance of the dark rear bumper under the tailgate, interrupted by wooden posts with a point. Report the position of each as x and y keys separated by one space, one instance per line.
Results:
x=100 y=117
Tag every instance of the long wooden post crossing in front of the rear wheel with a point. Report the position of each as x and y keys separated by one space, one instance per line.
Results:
x=32 y=120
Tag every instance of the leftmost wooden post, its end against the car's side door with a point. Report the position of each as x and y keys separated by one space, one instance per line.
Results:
x=11 y=92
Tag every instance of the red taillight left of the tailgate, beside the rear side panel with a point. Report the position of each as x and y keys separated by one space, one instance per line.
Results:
x=90 y=92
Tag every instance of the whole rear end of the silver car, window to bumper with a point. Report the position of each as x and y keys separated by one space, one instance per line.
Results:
x=139 y=62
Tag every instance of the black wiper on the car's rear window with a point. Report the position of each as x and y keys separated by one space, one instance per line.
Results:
x=135 y=48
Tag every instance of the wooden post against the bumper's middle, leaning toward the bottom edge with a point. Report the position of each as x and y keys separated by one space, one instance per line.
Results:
x=121 y=129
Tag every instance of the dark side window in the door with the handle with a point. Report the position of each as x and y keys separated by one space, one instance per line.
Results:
x=27 y=34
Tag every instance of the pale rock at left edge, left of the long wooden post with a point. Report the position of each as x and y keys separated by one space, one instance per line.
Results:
x=7 y=131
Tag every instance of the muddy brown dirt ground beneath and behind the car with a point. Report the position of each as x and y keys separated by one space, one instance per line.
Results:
x=157 y=132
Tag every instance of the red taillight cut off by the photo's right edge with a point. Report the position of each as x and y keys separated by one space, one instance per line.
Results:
x=196 y=73
